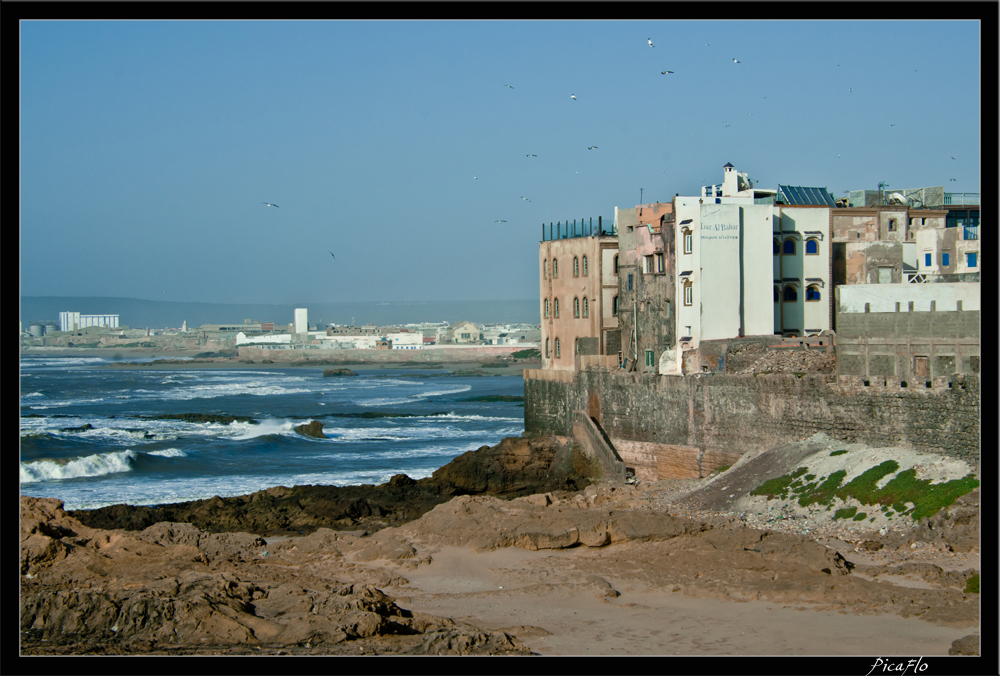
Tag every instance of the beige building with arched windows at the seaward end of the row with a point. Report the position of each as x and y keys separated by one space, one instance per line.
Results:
x=578 y=285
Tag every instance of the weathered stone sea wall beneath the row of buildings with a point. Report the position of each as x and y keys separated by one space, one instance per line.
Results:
x=686 y=426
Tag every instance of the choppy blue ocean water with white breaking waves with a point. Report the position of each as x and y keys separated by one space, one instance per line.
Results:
x=378 y=424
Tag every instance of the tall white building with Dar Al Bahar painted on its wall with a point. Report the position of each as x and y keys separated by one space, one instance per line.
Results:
x=748 y=267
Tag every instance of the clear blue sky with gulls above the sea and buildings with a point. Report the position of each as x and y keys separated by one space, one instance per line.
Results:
x=147 y=148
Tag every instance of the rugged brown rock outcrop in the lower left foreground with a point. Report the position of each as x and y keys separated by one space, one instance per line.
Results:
x=173 y=587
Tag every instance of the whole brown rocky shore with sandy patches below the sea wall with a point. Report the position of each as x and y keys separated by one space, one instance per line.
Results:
x=506 y=550
